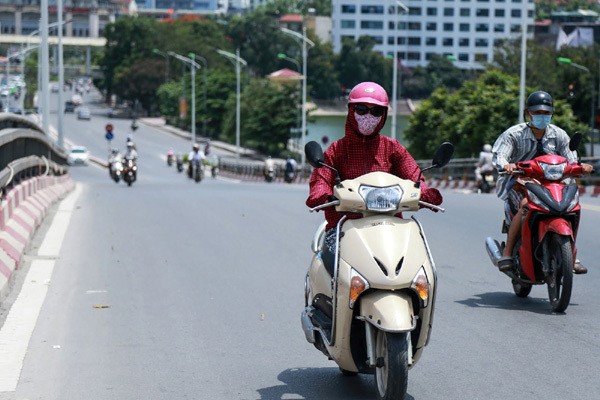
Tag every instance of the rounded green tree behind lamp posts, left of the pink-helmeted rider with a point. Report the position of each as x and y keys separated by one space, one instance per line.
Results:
x=268 y=113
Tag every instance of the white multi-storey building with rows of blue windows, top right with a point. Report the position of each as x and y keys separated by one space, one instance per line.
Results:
x=466 y=30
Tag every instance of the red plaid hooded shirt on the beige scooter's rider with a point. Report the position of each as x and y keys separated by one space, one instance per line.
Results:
x=355 y=155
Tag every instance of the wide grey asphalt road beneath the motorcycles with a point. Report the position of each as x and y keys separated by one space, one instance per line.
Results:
x=203 y=285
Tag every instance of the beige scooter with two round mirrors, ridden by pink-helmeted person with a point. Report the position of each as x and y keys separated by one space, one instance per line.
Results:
x=373 y=315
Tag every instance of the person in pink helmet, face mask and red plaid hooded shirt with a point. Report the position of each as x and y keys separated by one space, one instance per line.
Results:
x=360 y=151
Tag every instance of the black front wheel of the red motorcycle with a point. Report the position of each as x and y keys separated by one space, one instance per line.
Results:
x=560 y=278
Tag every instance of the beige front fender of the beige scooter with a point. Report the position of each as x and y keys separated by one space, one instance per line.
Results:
x=388 y=311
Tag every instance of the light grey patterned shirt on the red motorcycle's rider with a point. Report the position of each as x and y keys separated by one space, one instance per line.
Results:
x=518 y=143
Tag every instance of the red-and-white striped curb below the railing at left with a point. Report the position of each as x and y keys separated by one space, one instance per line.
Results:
x=22 y=211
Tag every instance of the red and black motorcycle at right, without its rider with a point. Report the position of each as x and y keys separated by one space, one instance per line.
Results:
x=546 y=251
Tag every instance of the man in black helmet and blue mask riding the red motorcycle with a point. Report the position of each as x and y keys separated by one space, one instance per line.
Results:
x=523 y=142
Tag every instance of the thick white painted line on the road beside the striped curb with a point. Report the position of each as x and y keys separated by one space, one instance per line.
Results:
x=22 y=317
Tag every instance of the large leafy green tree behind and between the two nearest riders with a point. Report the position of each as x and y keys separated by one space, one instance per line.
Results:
x=473 y=115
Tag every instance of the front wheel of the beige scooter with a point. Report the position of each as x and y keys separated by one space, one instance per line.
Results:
x=391 y=373
